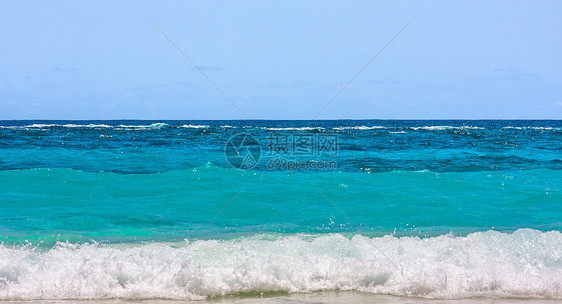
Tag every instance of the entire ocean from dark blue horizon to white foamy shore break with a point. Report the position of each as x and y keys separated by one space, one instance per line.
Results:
x=193 y=210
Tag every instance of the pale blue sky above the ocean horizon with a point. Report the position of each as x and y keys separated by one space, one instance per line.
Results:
x=280 y=60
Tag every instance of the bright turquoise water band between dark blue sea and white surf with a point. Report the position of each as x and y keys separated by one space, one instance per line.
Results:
x=61 y=204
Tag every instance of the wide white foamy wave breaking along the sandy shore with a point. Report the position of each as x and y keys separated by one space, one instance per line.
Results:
x=526 y=263
